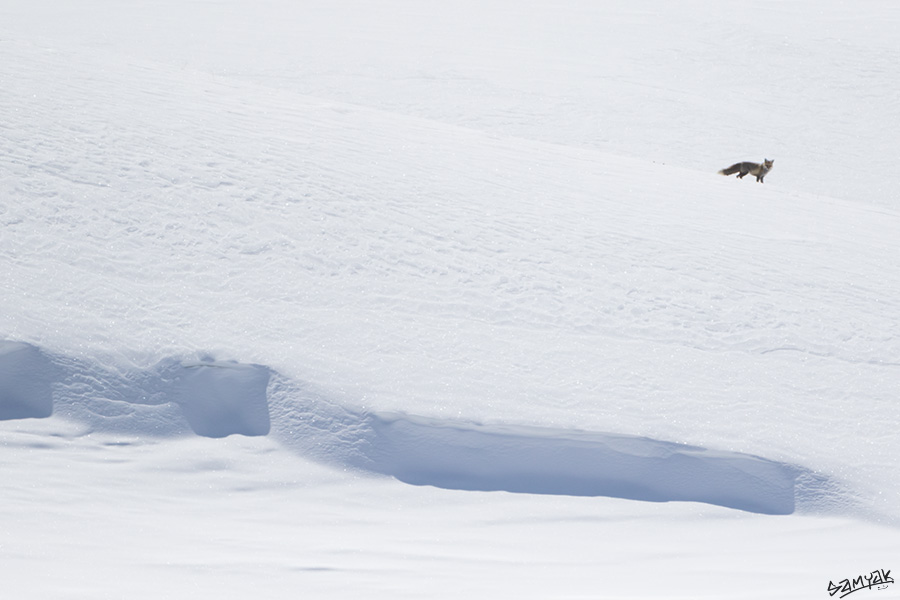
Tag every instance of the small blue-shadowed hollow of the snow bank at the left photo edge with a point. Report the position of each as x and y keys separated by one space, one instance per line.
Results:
x=26 y=382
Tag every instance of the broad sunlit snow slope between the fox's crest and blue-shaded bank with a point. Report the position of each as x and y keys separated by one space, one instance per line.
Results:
x=575 y=294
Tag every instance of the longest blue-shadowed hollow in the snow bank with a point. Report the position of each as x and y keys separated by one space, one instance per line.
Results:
x=547 y=461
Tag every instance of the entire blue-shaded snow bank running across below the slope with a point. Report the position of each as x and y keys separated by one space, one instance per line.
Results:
x=220 y=398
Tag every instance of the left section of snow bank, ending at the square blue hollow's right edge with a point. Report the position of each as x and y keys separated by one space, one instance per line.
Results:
x=212 y=399
